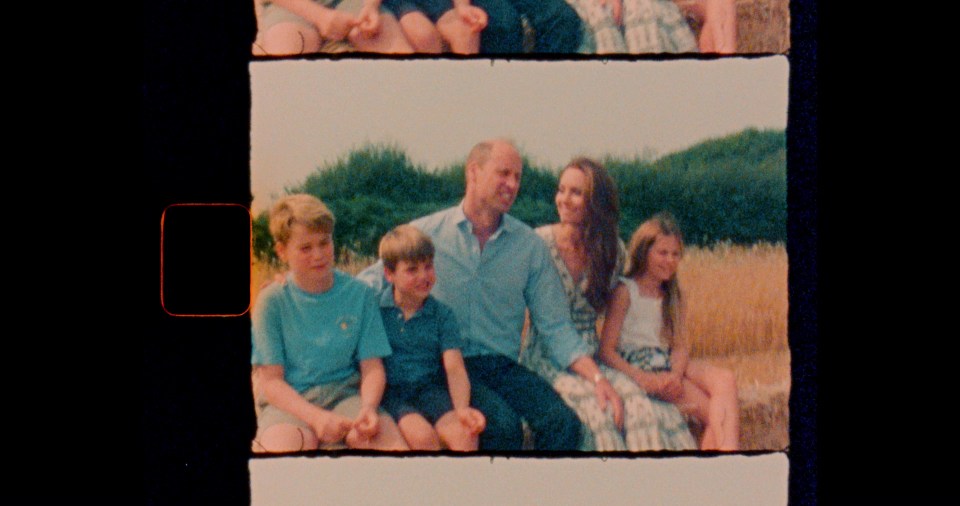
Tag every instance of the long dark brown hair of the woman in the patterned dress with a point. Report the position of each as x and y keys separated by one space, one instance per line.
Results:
x=600 y=229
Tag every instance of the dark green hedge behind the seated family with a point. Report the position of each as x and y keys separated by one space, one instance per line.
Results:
x=733 y=188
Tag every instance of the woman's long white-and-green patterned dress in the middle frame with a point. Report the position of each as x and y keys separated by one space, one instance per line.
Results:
x=649 y=423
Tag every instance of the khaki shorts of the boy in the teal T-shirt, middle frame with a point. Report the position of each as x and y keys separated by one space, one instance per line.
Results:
x=340 y=397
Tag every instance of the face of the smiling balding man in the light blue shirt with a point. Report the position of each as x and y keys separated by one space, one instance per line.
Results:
x=497 y=181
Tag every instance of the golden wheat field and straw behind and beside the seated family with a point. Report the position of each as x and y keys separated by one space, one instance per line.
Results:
x=736 y=318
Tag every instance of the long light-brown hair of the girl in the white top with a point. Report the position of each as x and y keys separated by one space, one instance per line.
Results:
x=661 y=224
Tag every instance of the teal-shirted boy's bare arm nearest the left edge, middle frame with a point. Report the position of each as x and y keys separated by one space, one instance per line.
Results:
x=328 y=426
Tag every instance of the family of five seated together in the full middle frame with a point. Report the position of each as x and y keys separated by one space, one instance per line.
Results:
x=424 y=349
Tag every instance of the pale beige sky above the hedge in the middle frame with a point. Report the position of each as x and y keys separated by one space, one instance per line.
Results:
x=306 y=113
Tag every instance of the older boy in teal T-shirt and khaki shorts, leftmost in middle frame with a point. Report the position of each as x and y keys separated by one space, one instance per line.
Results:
x=317 y=344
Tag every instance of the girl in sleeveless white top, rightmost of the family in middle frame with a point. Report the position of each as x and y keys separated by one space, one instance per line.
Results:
x=642 y=337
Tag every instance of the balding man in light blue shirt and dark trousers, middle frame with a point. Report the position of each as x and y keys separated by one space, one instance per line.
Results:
x=491 y=268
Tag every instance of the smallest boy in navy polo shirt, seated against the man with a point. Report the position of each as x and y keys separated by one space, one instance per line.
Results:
x=428 y=392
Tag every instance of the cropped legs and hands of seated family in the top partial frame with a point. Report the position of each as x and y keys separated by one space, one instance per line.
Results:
x=292 y=27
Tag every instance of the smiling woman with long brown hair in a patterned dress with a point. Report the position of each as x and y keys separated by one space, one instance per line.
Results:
x=587 y=251
